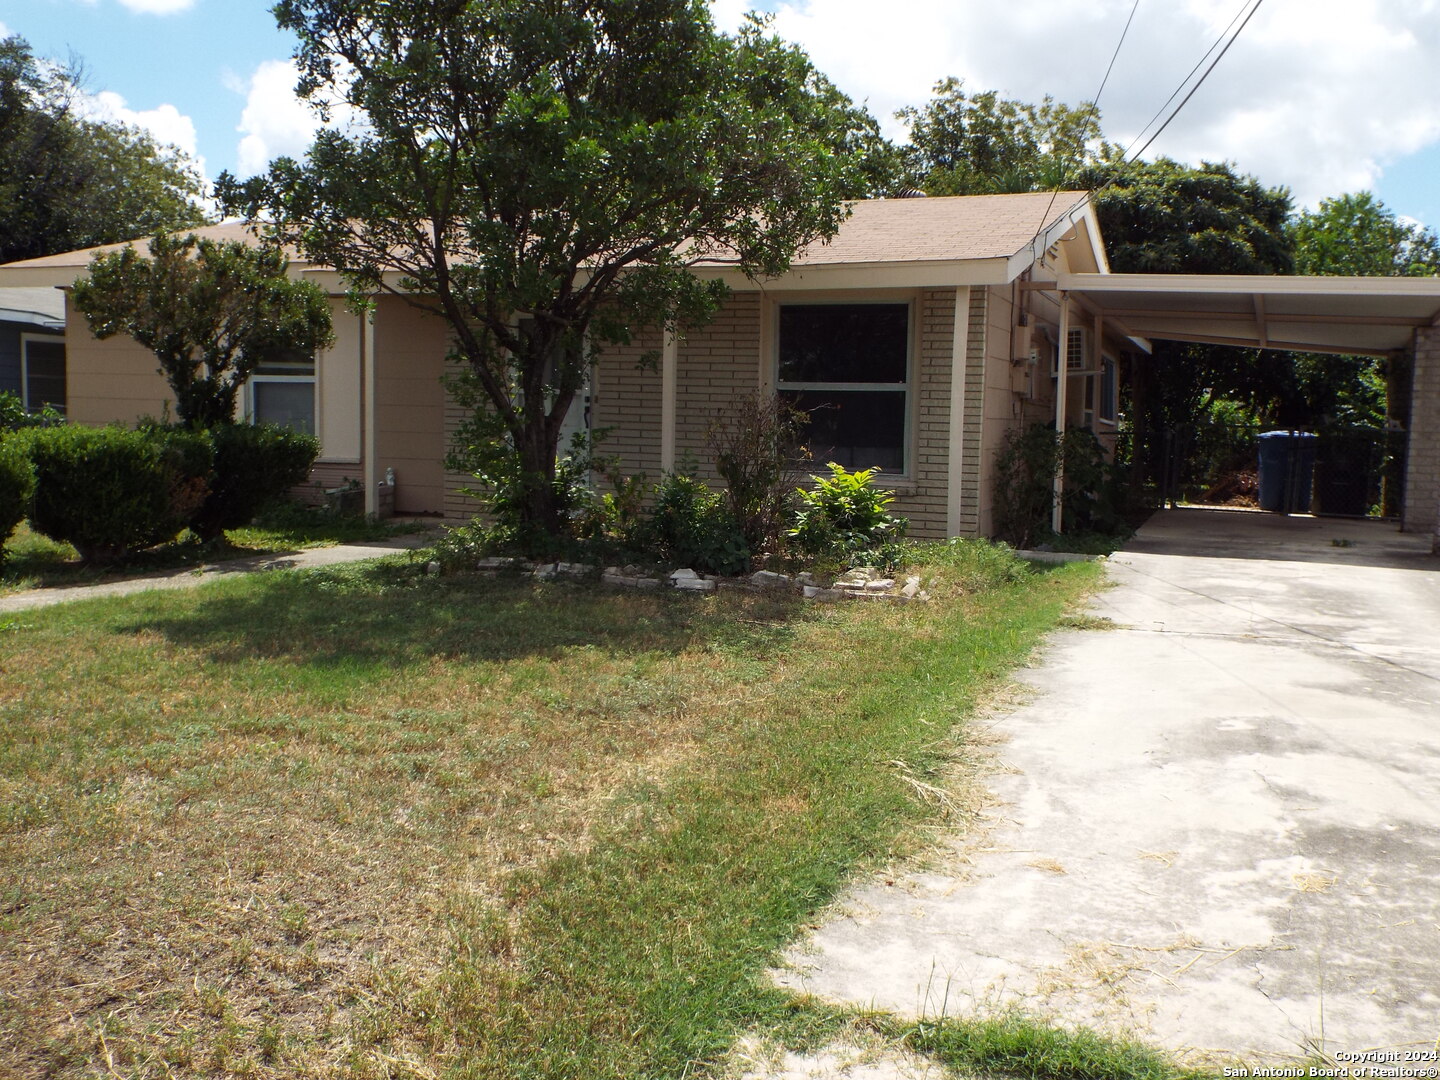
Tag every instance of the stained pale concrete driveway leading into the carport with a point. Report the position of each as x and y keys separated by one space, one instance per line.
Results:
x=1218 y=826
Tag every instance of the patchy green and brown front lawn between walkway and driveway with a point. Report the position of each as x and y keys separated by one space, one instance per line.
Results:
x=365 y=823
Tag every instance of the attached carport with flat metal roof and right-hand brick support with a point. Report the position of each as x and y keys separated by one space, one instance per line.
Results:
x=1338 y=316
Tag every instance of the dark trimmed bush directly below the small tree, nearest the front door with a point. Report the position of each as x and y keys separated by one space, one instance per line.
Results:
x=254 y=467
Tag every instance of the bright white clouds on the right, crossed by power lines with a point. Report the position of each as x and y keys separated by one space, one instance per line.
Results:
x=1317 y=94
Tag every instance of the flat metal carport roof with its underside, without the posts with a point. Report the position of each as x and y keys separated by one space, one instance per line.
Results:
x=1363 y=316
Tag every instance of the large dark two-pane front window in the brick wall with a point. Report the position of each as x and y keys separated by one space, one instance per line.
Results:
x=849 y=368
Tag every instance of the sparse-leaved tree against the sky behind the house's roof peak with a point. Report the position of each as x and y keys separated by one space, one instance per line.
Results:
x=983 y=143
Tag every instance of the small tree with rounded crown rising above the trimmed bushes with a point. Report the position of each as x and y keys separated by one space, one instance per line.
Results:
x=210 y=312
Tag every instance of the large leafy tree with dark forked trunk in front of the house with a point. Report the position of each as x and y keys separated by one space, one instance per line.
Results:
x=544 y=175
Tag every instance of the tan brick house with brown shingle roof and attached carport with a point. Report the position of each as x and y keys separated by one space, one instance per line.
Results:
x=927 y=332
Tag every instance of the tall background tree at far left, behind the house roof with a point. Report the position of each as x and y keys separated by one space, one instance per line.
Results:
x=68 y=182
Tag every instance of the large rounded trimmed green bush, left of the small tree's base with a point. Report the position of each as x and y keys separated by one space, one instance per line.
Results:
x=110 y=492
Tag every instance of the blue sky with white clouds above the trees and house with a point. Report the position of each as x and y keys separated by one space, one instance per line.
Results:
x=1324 y=97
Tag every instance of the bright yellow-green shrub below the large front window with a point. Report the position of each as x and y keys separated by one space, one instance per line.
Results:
x=847 y=518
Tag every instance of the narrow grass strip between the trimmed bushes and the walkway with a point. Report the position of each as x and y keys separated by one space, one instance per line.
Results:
x=37 y=562
